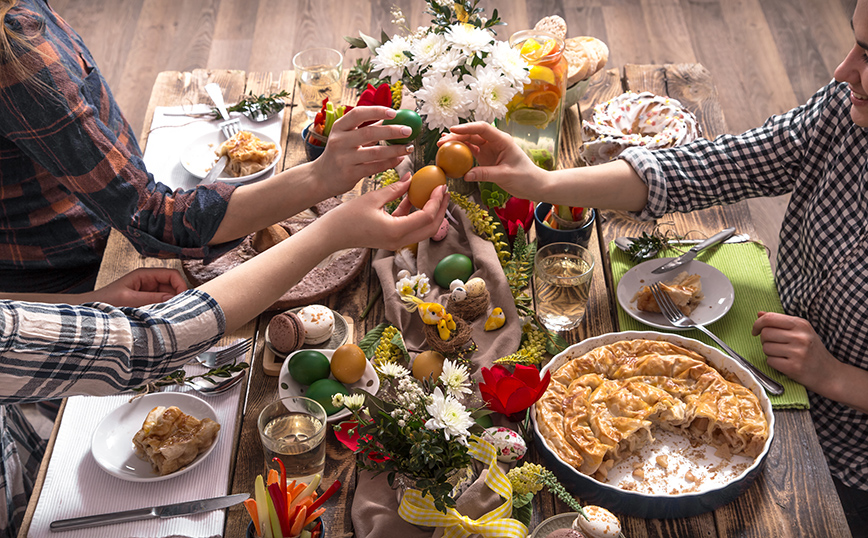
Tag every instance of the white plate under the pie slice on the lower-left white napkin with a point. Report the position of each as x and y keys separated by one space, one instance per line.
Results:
x=112 y=442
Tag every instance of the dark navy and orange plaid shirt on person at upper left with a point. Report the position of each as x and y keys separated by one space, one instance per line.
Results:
x=71 y=169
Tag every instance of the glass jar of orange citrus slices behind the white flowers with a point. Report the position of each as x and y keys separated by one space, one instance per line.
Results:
x=534 y=115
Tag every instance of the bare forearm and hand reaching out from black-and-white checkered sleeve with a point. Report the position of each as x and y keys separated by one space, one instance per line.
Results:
x=612 y=185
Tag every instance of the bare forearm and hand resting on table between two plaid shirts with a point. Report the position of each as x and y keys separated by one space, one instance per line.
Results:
x=142 y=286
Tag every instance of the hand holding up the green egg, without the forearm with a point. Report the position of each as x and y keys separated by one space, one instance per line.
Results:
x=351 y=152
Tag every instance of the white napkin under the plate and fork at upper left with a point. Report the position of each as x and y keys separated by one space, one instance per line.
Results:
x=173 y=132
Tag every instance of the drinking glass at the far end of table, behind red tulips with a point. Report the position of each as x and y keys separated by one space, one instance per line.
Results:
x=318 y=72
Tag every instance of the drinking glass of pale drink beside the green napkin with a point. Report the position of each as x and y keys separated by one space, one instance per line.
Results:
x=561 y=284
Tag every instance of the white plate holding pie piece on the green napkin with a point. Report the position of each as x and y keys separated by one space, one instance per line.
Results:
x=716 y=288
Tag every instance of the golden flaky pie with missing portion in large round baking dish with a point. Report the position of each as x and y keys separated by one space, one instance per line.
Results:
x=603 y=406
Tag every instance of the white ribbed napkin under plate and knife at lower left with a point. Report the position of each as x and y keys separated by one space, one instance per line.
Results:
x=75 y=485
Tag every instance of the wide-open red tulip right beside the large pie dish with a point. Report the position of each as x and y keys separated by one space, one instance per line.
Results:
x=512 y=393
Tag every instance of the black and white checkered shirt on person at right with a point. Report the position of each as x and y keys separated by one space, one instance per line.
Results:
x=819 y=155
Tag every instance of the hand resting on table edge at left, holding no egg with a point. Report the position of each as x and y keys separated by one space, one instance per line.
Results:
x=140 y=287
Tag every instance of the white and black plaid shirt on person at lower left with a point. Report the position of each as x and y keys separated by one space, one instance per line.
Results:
x=55 y=351
